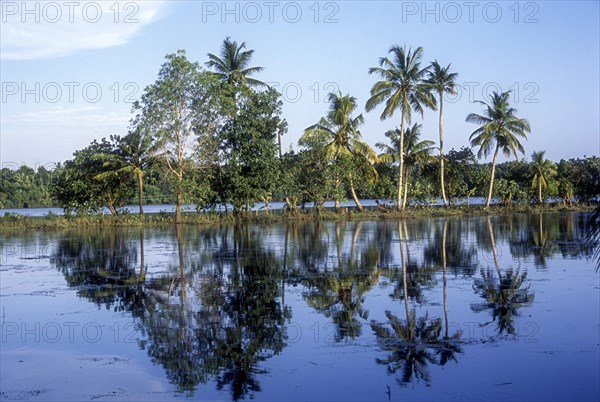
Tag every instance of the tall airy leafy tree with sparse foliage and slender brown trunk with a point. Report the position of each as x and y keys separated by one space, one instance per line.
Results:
x=176 y=110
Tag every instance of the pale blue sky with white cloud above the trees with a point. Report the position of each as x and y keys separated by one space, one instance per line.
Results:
x=70 y=70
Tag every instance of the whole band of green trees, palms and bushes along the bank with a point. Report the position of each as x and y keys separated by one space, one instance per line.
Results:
x=213 y=137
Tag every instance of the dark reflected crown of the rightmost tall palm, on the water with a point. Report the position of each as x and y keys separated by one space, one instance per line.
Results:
x=503 y=296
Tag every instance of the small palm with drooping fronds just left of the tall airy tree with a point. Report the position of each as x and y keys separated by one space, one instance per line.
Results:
x=135 y=152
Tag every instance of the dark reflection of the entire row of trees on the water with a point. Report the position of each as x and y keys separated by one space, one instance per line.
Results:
x=210 y=302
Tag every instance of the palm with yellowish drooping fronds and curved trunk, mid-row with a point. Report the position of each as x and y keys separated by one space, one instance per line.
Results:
x=345 y=137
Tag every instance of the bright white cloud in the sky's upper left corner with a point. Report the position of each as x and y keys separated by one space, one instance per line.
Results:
x=45 y=30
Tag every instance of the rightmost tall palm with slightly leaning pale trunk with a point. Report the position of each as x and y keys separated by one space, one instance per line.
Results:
x=499 y=127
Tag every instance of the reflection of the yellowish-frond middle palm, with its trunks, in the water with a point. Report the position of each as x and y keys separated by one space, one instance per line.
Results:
x=339 y=292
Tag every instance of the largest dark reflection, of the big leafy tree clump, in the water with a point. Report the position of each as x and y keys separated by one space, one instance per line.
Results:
x=227 y=317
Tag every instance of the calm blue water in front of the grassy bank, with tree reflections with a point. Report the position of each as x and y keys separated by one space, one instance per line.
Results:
x=499 y=308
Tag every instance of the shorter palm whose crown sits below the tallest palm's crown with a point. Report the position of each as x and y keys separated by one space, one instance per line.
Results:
x=415 y=151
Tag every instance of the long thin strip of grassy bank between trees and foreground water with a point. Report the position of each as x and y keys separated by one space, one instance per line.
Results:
x=52 y=221
